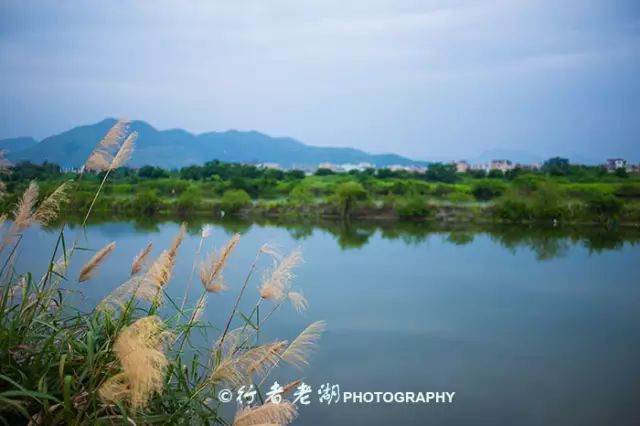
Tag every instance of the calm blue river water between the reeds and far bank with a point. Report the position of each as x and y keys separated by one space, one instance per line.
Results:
x=528 y=327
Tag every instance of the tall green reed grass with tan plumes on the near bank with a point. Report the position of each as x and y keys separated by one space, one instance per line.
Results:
x=118 y=363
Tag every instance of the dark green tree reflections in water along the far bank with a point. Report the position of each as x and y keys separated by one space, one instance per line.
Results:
x=546 y=242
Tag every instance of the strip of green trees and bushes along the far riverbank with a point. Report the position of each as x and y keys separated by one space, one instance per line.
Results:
x=559 y=192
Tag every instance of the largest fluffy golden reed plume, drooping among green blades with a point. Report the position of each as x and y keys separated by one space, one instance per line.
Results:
x=138 y=348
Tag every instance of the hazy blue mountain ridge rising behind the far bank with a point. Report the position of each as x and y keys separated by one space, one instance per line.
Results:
x=177 y=148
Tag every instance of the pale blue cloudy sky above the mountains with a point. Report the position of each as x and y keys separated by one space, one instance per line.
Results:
x=429 y=79
